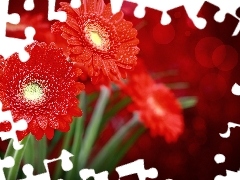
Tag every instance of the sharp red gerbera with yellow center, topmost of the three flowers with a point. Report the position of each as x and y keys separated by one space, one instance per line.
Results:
x=103 y=43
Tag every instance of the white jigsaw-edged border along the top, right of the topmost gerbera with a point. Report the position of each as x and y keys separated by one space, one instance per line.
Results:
x=192 y=8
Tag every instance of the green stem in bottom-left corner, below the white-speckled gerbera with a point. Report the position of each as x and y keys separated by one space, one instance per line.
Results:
x=13 y=172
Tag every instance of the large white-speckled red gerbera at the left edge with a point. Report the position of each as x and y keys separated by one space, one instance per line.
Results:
x=42 y=90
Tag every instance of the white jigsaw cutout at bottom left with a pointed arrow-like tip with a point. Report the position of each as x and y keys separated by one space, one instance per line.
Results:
x=66 y=165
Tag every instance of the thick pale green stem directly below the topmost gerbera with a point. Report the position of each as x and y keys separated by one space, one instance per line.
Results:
x=93 y=127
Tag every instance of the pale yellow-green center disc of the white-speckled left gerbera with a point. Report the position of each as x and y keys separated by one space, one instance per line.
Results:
x=32 y=92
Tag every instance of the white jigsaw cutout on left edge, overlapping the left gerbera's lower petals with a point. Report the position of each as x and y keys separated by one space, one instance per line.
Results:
x=16 y=126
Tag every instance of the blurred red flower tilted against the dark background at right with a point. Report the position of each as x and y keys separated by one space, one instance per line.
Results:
x=158 y=107
